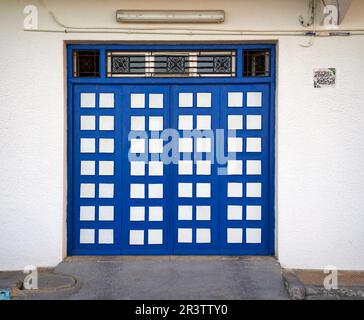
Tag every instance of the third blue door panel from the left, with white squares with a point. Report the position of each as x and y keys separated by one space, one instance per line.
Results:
x=196 y=216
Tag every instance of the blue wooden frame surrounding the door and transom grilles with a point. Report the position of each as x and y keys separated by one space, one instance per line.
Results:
x=72 y=82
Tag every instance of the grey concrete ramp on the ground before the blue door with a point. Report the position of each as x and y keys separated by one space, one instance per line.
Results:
x=168 y=278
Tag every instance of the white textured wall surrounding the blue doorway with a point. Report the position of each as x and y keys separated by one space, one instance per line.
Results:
x=320 y=176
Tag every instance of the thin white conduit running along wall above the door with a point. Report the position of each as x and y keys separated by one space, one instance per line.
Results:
x=192 y=31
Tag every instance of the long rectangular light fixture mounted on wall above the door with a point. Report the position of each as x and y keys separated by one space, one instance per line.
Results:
x=169 y=16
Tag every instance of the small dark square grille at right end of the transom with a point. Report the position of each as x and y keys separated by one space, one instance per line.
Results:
x=256 y=63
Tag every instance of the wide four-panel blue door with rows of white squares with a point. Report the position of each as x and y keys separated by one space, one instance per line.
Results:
x=171 y=169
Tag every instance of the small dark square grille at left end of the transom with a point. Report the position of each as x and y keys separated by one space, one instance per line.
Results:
x=86 y=63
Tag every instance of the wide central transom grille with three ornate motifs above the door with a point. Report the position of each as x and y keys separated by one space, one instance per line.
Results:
x=171 y=64
